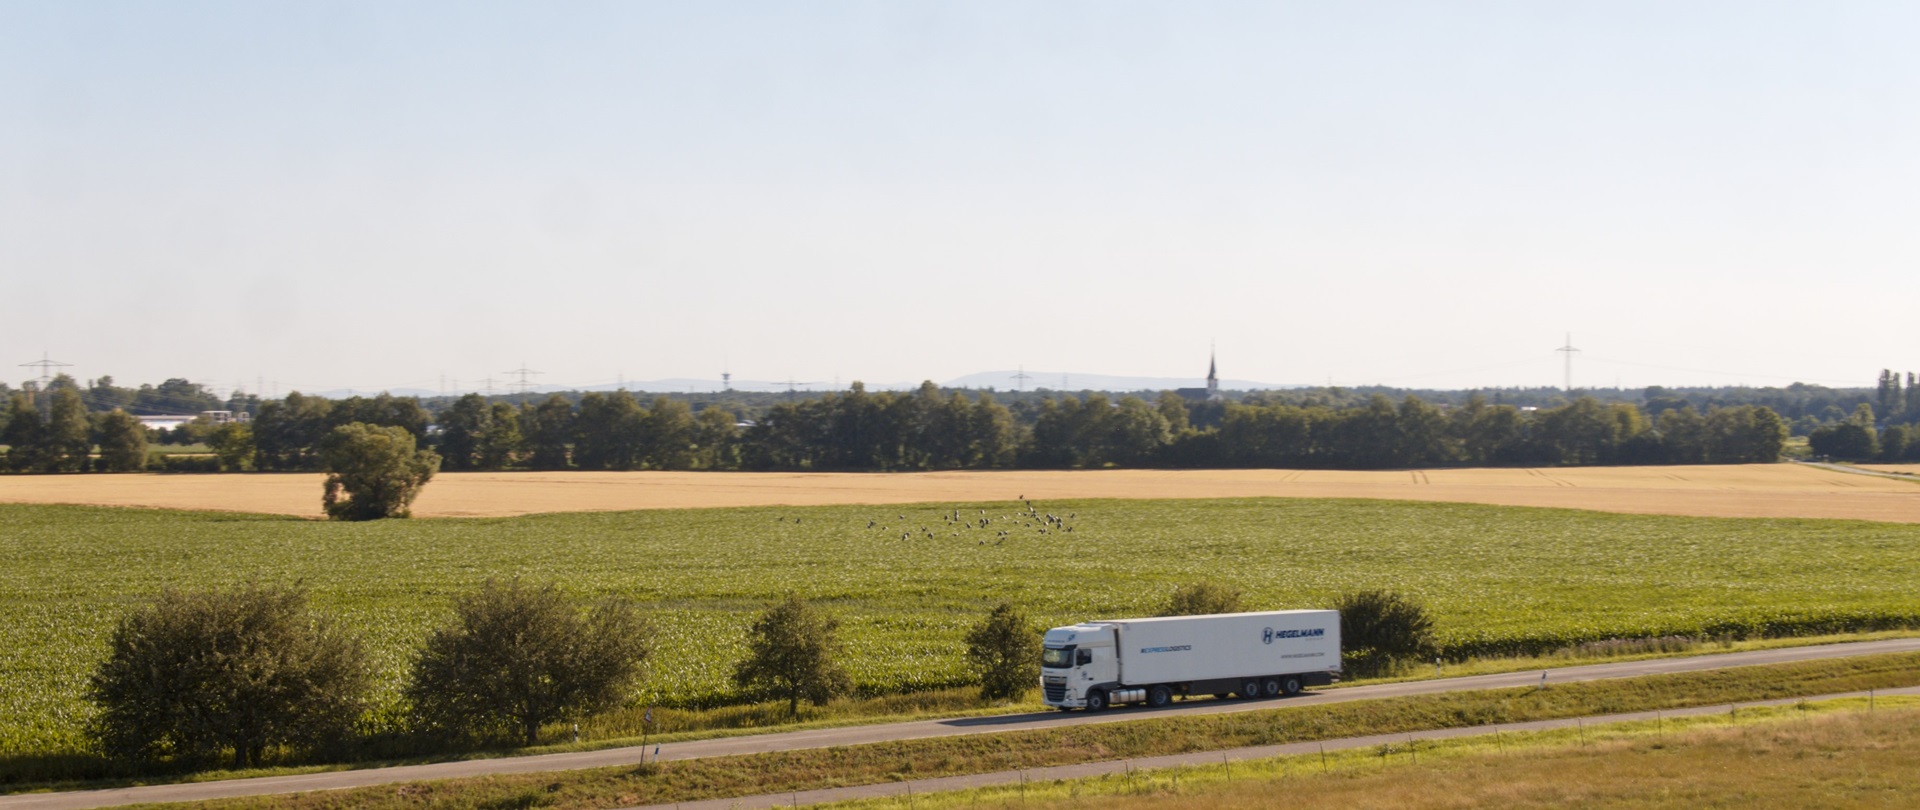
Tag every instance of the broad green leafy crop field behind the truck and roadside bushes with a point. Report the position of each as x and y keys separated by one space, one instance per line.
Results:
x=1500 y=579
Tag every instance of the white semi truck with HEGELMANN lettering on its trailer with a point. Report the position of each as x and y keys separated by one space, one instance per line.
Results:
x=1153 y=661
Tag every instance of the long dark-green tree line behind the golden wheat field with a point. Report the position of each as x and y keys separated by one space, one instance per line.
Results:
x=930 y=429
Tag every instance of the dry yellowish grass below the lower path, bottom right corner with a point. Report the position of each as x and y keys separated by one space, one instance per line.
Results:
x=1815 y=755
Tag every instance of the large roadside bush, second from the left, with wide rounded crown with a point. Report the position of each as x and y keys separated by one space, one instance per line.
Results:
x=519 y=657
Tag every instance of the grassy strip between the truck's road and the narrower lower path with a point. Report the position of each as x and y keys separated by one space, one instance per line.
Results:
x=802 y=771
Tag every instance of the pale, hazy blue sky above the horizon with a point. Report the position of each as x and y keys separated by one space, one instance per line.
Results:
x=1426 y=195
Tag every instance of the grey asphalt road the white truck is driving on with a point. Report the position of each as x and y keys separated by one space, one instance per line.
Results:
x=913 y=730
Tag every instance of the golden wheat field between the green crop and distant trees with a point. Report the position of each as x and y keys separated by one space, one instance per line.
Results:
x=1746 y=490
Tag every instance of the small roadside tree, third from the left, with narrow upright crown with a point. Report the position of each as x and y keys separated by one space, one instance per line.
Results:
x=792 y=655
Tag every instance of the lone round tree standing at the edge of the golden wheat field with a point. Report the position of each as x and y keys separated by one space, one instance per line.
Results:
x=373 y=473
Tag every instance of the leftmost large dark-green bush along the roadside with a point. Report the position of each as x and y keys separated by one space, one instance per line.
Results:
x=204 y=673
